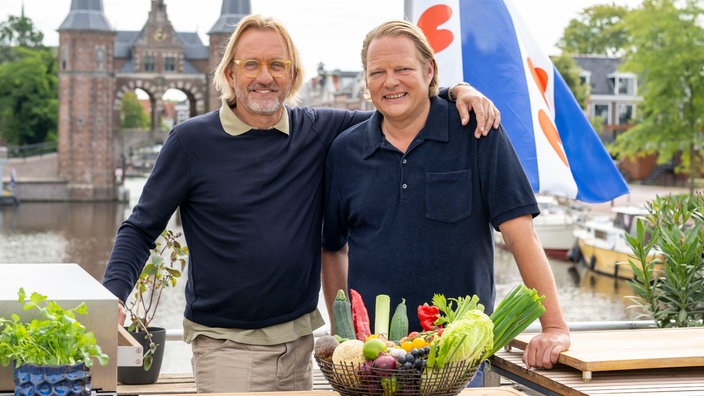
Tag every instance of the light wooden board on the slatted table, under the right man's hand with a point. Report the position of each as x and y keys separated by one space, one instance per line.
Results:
x=630 y=349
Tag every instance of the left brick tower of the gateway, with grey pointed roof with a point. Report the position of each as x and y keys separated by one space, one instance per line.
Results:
x=86 y=90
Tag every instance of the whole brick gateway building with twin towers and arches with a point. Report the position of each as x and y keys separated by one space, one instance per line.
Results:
x=98 y=64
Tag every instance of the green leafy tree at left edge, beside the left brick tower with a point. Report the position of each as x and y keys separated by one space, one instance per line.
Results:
x=28 y=97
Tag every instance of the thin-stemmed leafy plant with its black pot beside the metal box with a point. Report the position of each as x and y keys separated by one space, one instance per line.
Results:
x=164 y=268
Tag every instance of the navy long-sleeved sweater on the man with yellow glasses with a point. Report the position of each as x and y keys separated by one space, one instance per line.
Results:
x=251 y=208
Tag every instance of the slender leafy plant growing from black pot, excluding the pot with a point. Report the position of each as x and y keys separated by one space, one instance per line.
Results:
x=157 y=275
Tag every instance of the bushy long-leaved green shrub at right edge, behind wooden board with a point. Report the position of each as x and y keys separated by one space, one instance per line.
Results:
x=669 y=272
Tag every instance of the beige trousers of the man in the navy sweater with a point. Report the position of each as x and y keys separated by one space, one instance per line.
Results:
x=221 y=366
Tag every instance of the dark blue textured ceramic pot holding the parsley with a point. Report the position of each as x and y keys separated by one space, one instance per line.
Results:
x=51 y=380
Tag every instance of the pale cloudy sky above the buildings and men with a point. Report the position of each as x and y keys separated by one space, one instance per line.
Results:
x=329 y=31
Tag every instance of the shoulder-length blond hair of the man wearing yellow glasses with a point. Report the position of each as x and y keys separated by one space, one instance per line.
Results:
x=227 y=92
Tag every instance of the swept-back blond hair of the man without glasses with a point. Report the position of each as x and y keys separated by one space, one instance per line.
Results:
x=396 y=28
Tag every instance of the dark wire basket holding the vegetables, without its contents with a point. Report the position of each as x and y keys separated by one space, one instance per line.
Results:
x=350 y=380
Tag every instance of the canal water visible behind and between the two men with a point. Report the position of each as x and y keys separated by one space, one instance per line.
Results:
x=83 y=233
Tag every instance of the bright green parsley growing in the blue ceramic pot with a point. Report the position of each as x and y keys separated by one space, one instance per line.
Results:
x=57 y=338
